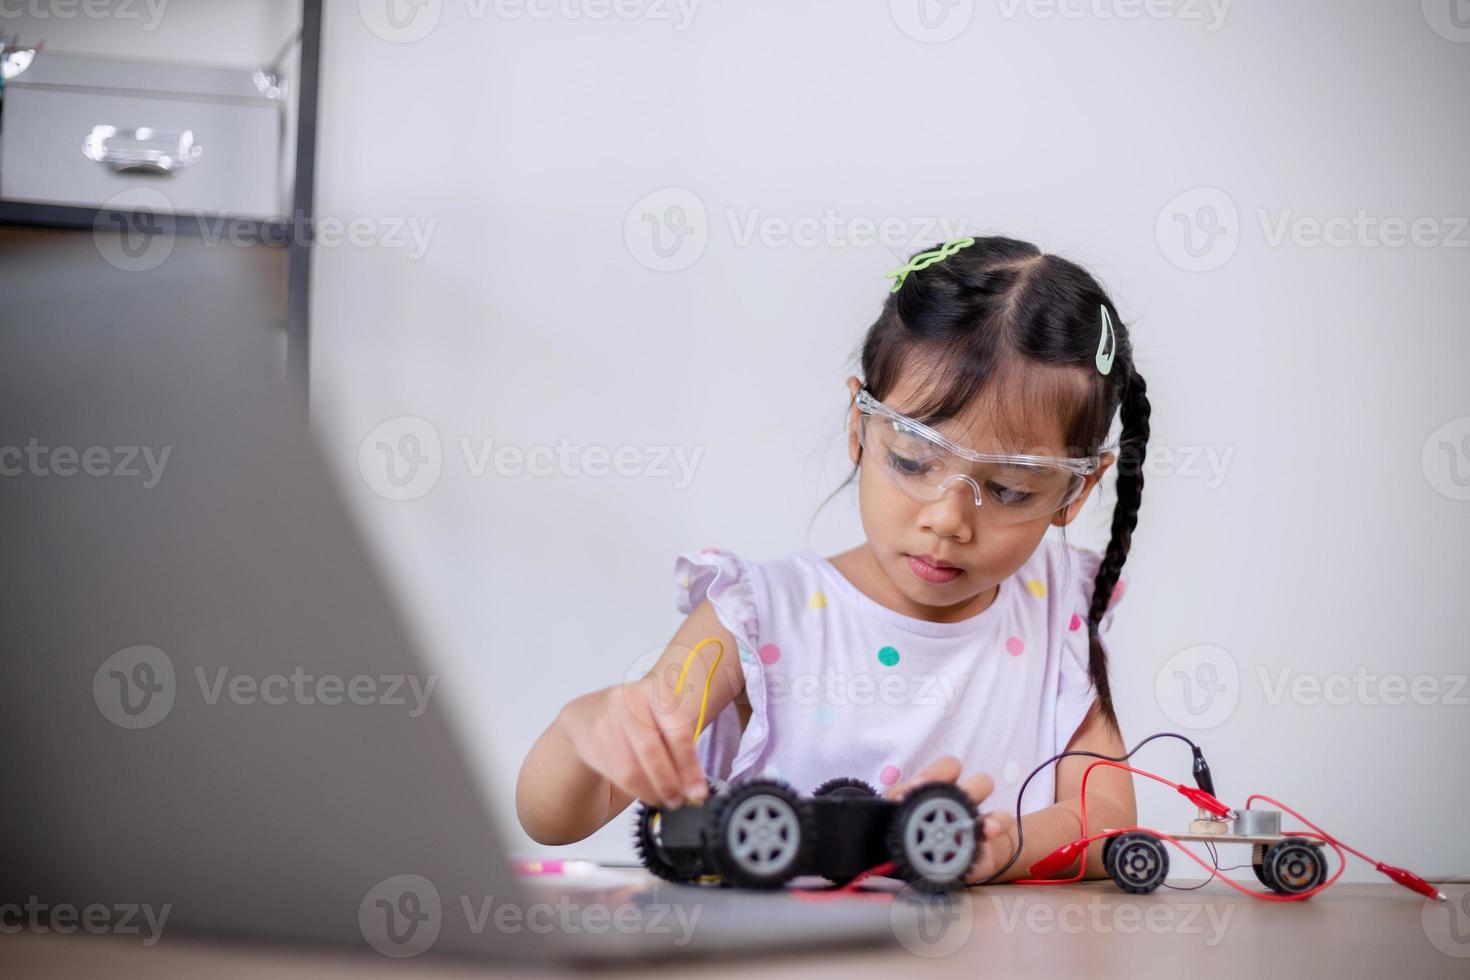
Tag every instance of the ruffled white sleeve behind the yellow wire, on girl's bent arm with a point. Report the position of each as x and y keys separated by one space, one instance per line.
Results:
x=730 y=584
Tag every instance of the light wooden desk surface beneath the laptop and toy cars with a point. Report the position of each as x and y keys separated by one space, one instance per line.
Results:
x=1077 y=931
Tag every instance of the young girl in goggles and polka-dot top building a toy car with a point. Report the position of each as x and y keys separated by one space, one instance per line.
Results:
x=958 y=643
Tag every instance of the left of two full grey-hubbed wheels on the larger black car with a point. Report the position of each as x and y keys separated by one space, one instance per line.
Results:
x=790 y=812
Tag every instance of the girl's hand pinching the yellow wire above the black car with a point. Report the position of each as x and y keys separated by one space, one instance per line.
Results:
x=640 y=737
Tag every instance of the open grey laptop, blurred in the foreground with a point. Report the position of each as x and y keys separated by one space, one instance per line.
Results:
x=212 y=718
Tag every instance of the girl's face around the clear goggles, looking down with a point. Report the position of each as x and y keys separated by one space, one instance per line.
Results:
x=949 y=531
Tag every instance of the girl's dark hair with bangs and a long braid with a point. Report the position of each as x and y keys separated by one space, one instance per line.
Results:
x=981 y=323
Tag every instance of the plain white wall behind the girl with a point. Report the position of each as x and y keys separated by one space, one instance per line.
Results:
x=524 y=145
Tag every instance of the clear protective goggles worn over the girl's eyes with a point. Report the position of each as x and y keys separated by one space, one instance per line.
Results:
x=1008 y=489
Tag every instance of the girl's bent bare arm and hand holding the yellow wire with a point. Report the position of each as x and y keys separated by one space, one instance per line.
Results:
x=631 y=741
